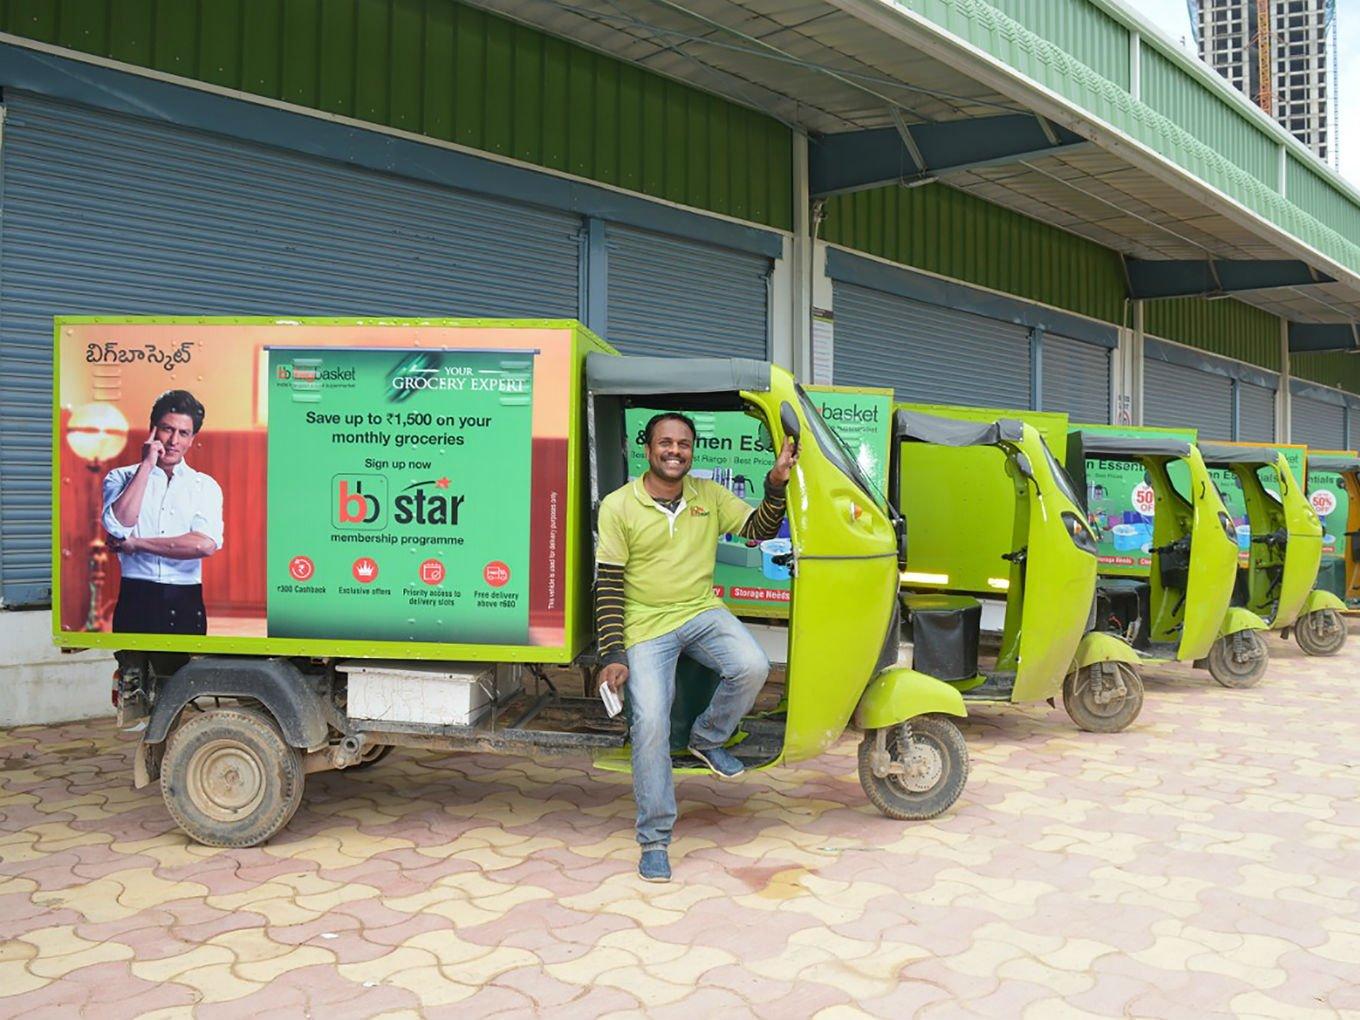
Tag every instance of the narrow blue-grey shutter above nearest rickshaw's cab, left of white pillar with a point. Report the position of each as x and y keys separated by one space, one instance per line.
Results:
x=673 y=297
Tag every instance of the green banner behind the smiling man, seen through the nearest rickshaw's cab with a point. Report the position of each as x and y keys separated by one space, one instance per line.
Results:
x=736 y=451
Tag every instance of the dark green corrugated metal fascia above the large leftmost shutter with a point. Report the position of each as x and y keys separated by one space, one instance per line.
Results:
x=456 y=74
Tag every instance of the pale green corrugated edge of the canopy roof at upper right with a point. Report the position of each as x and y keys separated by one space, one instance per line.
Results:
x=1052 y=67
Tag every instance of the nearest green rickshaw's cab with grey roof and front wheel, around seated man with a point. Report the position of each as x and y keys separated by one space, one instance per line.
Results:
x=844 y=621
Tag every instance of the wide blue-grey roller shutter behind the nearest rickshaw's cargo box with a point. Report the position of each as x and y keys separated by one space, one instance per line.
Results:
x=115 y=216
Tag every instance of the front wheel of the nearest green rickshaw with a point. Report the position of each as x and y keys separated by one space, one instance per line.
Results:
x=915 y=770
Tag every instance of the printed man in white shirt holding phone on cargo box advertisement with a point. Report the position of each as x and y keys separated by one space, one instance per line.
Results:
x=164 y=519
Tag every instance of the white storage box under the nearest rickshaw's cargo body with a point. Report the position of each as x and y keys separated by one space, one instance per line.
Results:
x=436 y=694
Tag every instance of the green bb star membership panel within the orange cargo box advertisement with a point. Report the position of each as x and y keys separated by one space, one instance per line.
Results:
x=388 y=451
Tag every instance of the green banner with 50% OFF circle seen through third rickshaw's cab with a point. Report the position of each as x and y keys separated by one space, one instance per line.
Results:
x=1121 y=504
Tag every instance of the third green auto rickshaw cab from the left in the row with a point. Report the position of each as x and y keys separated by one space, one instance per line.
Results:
x=1169 y=592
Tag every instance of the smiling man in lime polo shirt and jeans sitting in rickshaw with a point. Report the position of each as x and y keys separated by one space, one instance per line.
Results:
x=655 y=602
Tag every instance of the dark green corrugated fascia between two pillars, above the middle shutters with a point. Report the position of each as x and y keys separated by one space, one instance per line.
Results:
x=954 y=235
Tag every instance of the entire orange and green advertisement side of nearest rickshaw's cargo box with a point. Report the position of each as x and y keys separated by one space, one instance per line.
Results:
x=316 y=486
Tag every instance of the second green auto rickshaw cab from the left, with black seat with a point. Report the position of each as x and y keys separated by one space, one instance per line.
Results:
x=1049 y=579
